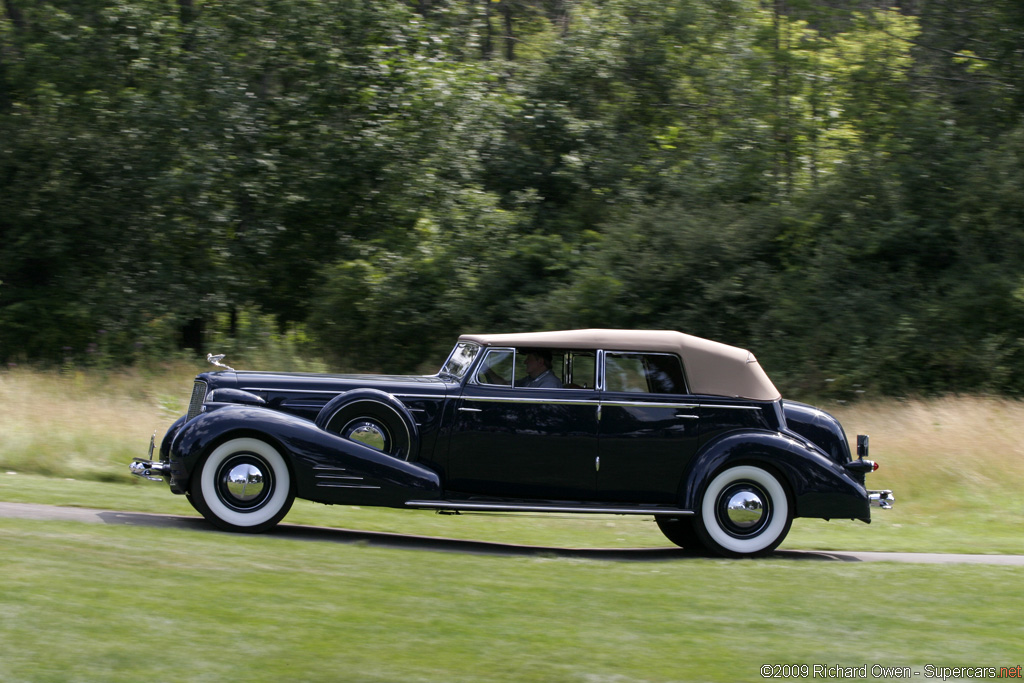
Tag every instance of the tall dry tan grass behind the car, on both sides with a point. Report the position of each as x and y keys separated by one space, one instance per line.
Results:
x=91 y=425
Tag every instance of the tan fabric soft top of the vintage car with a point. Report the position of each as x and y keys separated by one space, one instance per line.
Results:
x=712 y=368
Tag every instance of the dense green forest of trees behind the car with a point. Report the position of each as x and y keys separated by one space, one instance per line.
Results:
x=838 y=187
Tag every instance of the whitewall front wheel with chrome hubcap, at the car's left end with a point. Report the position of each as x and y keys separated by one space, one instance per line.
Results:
x=243 y=486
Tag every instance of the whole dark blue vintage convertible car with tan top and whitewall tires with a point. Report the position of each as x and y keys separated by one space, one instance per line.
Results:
x=655 y=423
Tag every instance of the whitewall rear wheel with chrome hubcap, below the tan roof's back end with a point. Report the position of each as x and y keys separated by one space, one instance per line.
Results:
x=745 y=513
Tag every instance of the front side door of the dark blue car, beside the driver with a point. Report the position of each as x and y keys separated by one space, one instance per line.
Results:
x=523 y=443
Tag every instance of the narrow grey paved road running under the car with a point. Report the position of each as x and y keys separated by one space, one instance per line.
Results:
x=386 y=540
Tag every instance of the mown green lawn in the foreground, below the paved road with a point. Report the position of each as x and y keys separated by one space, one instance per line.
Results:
x=93 y=603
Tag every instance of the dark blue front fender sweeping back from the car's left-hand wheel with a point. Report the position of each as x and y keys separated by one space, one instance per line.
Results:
x=326 y=467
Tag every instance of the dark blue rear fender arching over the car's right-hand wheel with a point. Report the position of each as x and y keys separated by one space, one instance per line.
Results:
x=820 y=487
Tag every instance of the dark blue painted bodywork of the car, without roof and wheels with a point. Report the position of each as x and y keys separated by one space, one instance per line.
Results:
x=639 y=449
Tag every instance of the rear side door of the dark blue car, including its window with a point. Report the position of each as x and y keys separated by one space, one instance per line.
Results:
x=649 y=428
